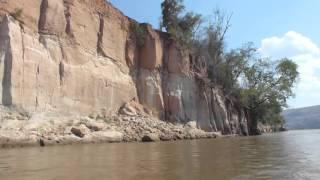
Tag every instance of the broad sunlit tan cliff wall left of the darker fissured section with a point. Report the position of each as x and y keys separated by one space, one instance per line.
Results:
x=56 y=65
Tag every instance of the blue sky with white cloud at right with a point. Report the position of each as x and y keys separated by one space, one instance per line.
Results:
x=278 y=28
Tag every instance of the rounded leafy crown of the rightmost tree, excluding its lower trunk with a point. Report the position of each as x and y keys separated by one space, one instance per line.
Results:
x=267 y=81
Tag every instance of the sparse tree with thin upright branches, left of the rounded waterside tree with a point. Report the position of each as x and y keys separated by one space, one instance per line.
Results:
x=222 y=67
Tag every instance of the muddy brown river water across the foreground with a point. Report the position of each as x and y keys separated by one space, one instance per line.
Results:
x=290 y=155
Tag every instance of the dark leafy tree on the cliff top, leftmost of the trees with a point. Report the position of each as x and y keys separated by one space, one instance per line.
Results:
x=180 y=25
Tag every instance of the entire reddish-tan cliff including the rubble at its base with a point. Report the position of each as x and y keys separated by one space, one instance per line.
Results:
x=79 y=71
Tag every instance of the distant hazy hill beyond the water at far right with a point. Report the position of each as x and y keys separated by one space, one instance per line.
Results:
x=303 y=118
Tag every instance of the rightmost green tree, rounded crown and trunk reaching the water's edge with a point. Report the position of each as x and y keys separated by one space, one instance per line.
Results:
x=267 y=86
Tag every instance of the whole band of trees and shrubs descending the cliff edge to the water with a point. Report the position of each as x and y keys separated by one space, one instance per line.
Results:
x=260 y=85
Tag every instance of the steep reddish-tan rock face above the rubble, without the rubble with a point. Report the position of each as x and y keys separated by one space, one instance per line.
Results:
x=80 y=57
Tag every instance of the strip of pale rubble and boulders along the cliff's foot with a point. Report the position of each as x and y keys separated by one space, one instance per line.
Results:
x=18 y=129
